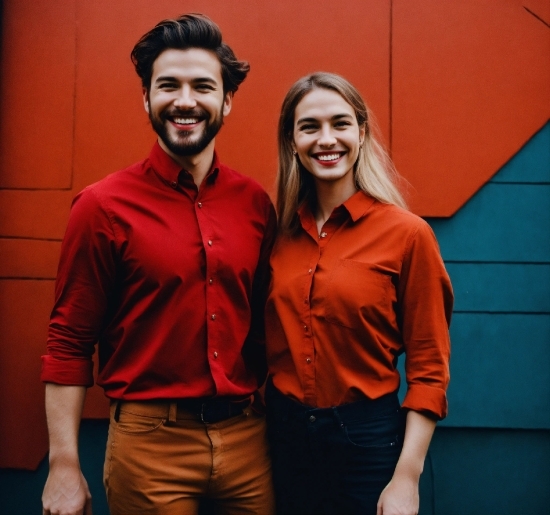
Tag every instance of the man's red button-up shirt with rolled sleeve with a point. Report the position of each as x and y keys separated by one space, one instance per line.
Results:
x=171 y=281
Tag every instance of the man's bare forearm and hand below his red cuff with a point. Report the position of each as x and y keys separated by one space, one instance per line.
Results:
x=66 y=491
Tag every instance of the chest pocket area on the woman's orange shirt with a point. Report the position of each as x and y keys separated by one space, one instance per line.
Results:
x=358 y=294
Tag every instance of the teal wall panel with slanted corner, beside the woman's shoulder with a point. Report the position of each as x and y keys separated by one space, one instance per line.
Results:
x=501 y=223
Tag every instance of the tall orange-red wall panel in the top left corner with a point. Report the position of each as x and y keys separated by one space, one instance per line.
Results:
x=37 y=67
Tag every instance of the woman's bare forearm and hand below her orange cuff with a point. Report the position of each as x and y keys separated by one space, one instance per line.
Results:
x=400 y=497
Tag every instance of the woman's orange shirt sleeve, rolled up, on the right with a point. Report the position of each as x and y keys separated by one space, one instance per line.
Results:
x=426 y=303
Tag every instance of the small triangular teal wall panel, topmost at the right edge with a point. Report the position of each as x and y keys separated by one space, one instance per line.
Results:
x=532 y=163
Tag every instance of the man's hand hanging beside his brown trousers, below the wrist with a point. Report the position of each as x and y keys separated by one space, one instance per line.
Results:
x=66 y=492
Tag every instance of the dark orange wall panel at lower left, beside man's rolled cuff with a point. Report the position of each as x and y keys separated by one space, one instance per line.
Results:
x=24 y=313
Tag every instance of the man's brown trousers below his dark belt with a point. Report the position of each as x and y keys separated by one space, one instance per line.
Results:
x=161 y=461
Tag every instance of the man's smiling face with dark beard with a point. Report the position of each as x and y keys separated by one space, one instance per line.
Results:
x=186 y=103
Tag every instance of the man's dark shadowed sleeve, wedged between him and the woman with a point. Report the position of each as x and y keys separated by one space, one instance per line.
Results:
x=254 y=348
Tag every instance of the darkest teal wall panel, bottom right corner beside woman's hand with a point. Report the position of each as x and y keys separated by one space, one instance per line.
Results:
x=490 y=472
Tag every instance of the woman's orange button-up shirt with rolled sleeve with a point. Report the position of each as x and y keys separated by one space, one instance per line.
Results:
x=345 y=303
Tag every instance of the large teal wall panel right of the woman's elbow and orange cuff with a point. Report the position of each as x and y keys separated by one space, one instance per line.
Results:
x=500 y=371
